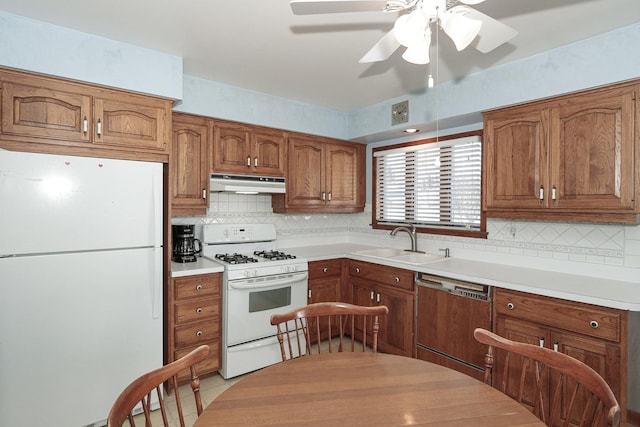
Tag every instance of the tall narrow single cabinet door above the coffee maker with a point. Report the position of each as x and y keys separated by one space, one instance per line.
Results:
x=189 y=166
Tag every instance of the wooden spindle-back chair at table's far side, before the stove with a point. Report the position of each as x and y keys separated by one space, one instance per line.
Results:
x=319 y=323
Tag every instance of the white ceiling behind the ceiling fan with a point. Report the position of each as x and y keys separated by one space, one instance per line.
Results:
x=260 y=45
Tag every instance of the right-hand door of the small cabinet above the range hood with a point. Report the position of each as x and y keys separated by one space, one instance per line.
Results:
x=268 y=150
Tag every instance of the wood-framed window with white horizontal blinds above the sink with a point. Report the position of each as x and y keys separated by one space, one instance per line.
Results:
x=434 y=184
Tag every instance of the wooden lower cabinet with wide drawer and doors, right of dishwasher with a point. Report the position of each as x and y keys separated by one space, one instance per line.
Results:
x=595 y=335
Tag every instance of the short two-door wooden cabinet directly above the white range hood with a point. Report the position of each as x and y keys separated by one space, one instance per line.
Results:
x=248 y=150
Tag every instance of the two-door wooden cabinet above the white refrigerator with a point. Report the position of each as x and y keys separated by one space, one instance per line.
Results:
x=43 y=110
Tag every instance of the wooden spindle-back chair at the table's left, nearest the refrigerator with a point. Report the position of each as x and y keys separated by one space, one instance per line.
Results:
x=143 y=388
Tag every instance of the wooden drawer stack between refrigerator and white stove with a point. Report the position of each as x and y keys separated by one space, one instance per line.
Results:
x=194 y=318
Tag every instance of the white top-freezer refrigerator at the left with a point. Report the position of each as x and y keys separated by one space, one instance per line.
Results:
x=80 y=284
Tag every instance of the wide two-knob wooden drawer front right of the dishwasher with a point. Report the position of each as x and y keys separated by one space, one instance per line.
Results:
x=567 y=315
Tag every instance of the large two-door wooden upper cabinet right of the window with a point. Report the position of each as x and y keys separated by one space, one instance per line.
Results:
x=567 y=158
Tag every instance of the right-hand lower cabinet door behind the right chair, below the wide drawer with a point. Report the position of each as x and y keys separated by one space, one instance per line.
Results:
x=603 y=357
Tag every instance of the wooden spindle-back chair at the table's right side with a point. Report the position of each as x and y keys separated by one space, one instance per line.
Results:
x=561 y=390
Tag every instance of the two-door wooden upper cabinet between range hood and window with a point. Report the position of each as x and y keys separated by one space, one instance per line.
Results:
x=323 y=175
